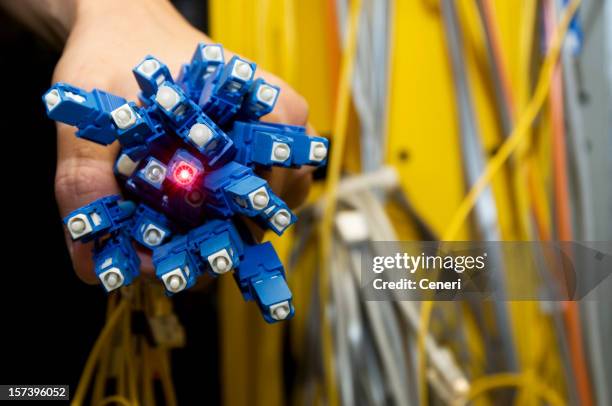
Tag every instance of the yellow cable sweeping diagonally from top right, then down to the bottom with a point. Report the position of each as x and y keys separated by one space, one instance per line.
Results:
x=514 y=140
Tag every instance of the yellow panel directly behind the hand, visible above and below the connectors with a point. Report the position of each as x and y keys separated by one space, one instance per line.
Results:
x=280 y=36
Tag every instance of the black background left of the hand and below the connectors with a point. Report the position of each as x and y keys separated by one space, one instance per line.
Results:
x=50 y=319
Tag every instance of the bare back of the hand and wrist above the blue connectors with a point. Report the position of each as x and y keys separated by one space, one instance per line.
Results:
x=109 y=37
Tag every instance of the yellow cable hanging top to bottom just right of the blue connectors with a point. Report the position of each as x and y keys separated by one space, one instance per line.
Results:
x=341 y=117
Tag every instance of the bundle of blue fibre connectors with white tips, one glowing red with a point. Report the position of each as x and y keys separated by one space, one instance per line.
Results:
x=189 y=151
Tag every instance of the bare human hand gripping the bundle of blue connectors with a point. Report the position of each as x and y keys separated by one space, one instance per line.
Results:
x=108 y=38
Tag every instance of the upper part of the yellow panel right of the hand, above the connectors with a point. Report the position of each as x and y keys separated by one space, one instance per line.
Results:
x=298 y=52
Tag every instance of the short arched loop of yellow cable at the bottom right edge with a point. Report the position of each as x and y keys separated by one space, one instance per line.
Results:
x=505 y=380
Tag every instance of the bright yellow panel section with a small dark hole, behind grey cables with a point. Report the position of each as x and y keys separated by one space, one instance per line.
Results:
x=423 y=139
